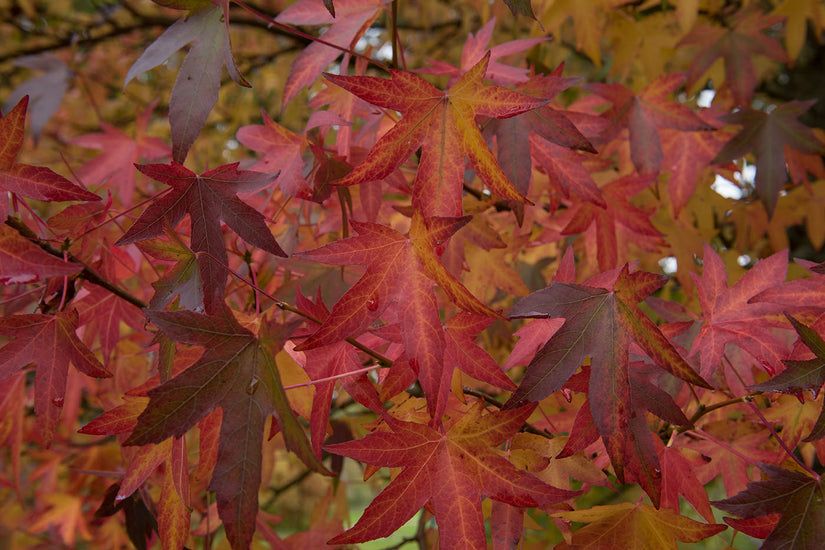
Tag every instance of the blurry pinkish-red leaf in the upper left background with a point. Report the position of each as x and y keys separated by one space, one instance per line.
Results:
x=116 y=164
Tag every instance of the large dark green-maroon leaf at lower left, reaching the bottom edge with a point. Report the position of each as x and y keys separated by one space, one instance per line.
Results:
x=238 y=374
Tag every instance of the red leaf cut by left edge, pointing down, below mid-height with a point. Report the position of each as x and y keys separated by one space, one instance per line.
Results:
x=50 y=342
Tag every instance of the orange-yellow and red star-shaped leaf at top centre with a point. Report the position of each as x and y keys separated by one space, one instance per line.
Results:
x=443 y=125
